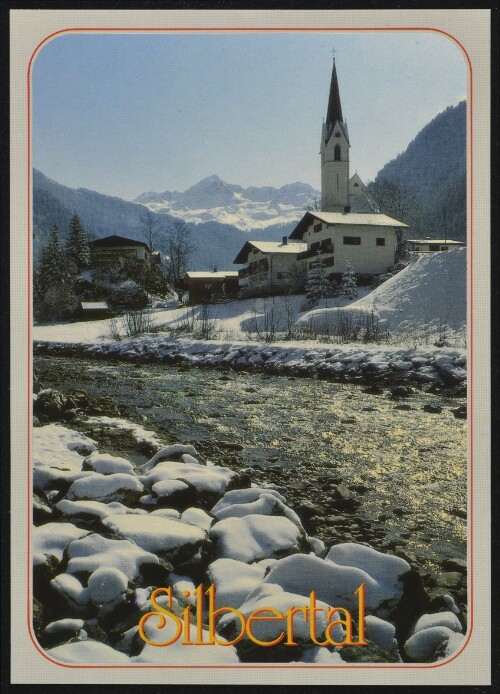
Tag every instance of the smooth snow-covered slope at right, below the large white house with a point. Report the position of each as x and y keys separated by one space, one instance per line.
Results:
x=425 y=301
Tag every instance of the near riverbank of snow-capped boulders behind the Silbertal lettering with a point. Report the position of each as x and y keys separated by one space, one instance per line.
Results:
x=108 y=532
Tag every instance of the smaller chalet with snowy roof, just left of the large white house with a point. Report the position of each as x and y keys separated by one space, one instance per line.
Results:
x=270 y=266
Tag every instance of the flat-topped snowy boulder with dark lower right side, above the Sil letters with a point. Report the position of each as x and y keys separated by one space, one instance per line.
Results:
x=170 y=538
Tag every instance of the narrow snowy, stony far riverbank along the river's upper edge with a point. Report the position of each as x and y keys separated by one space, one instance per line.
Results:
x=419 y=365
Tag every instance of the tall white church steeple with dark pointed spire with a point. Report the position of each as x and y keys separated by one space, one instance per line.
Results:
x=334 y=153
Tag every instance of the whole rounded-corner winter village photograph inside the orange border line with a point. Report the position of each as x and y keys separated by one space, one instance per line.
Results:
x=257 y=390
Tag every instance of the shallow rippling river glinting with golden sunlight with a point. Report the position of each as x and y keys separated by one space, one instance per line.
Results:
x=401 y=471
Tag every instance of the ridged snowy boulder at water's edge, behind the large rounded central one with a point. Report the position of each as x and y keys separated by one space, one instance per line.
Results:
x=254 y=500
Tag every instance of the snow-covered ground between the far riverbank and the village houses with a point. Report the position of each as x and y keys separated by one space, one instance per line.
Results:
x=424 y=303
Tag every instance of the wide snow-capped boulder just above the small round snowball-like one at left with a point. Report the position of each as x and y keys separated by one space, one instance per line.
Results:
x=93 y=551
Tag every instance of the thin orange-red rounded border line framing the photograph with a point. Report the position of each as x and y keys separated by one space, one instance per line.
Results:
x=200 y=30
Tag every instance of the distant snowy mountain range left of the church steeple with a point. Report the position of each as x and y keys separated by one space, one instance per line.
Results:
x=214 y=200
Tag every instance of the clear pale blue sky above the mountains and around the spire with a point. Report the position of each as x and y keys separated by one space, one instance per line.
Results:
x=127 y=113
